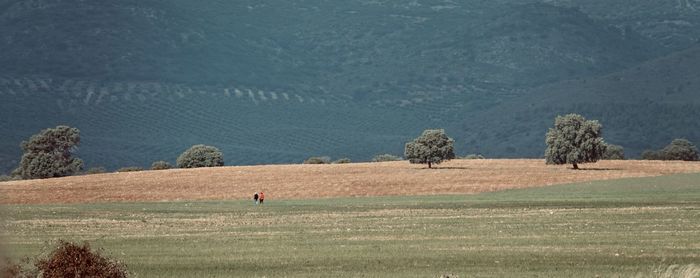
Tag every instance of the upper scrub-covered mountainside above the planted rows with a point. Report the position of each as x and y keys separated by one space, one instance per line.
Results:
x=346 y=48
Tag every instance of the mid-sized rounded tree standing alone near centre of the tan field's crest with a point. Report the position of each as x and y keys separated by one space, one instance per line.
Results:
x=432 y=147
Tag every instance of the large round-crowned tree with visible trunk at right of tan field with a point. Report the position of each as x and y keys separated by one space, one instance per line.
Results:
x=574 y=140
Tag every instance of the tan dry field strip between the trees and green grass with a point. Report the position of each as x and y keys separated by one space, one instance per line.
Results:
x=324 y=181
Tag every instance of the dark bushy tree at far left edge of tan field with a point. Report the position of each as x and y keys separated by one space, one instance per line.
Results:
x=50 y=154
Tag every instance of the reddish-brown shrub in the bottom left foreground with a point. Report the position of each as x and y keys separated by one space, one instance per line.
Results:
x=73 y=260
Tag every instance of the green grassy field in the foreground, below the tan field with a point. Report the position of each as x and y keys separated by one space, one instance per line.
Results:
x=622 y=228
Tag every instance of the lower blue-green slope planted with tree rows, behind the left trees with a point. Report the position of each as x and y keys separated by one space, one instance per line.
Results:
x=135 y=123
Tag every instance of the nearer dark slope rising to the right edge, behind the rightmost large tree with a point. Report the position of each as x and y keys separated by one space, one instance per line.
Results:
x=642 y=108
